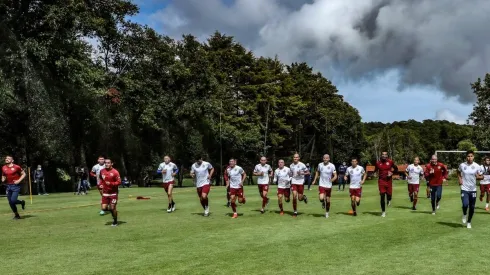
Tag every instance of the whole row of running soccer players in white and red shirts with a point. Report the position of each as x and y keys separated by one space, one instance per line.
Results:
x=289 y=180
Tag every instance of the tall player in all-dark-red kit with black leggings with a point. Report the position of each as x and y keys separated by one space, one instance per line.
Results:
x=385 y=168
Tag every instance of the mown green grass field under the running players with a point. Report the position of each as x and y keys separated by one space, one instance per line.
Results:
x=63 y=234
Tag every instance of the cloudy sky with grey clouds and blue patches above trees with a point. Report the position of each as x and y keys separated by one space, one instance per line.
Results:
x=391 y=59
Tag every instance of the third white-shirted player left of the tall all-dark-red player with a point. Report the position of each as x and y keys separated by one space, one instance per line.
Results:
x=298 y=171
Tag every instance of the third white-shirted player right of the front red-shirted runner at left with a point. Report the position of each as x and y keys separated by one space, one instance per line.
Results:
x=236 y=177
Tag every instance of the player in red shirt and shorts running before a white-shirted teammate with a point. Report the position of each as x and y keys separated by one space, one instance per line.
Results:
x=109 y=182
